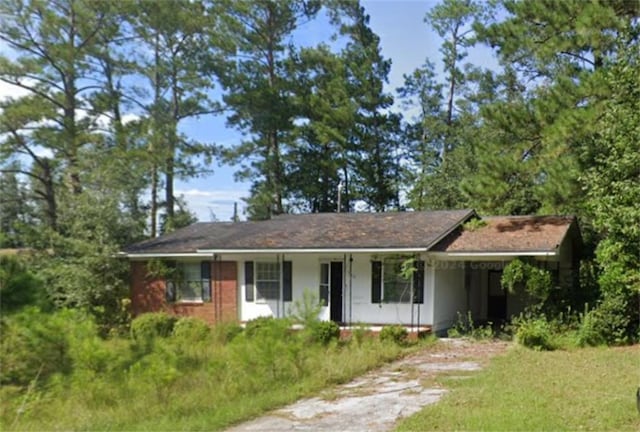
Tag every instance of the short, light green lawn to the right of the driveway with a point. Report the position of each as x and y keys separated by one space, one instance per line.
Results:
x=526 y=390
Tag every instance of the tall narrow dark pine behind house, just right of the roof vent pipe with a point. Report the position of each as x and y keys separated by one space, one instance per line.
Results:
x=373 y=140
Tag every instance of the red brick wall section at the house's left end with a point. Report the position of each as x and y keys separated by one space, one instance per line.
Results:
x=148 y=294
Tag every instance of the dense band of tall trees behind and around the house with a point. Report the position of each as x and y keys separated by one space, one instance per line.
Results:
x=92 y=139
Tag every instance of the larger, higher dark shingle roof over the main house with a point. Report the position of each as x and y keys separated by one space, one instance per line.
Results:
x=311 y=231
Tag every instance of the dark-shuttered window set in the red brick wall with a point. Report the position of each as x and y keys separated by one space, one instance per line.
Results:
x=191 y=282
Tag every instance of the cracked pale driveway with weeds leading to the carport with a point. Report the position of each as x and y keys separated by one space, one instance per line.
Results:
x=378 y=399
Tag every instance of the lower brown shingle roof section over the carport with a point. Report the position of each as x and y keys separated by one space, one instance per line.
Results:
x=509 y=234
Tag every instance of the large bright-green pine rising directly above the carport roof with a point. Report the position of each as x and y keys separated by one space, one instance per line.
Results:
x=542 y=130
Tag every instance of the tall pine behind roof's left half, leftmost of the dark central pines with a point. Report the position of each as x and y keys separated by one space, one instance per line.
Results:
x=259 y=94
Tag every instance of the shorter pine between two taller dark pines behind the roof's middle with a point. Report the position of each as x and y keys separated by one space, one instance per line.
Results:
x=319 y=155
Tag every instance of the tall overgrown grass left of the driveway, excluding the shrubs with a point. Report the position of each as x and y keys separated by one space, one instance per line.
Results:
x=180 y=383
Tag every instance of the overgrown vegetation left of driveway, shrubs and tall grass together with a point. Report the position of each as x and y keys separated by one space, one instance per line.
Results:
x=57 y=373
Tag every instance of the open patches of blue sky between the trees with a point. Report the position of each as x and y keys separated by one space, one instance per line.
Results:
x=405 y=39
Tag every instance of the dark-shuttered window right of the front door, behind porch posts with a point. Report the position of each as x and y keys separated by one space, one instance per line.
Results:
x=388 y=285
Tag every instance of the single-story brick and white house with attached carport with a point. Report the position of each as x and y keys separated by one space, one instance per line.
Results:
x=354 y=263
